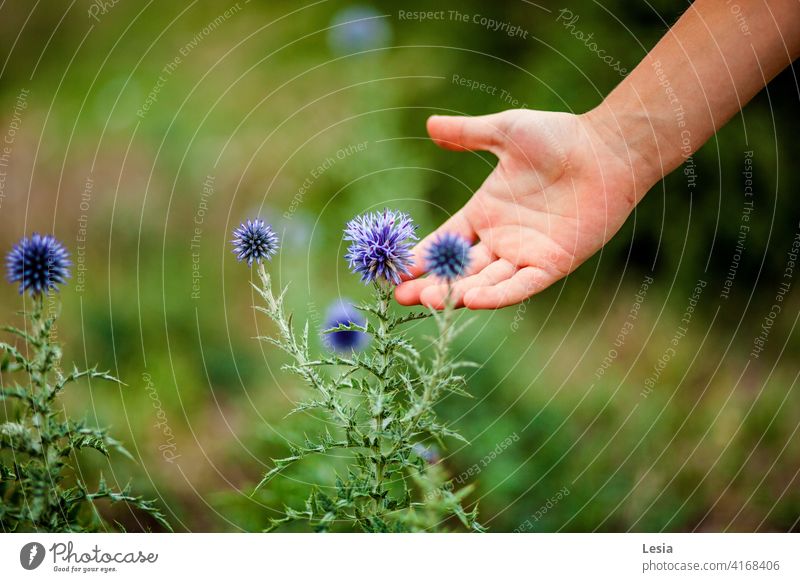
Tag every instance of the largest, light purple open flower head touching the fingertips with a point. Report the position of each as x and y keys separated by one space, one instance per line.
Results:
x=380 y=246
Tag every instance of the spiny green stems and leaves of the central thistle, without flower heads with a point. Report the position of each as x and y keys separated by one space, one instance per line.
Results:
x=380 y=403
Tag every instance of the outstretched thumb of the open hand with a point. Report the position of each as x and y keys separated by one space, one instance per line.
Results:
x=485 y=132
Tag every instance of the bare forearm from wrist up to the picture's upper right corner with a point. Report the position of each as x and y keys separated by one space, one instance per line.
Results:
x=708 y=66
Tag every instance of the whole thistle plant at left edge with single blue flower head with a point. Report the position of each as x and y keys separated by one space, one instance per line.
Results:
x=40 y=489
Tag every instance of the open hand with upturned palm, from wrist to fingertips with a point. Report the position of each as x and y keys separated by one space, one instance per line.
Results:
x=562 y=188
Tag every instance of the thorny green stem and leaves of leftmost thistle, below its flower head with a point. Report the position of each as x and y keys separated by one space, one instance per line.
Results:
x=42 y=439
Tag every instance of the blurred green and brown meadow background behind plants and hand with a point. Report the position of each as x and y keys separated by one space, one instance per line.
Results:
x=143 y=132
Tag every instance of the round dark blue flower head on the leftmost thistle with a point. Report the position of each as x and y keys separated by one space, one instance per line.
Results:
x=39 y=263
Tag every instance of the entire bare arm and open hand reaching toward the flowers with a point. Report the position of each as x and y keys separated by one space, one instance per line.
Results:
x=564 y=184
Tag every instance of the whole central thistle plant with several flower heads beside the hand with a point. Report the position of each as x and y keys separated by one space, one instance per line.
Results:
x=376 y=391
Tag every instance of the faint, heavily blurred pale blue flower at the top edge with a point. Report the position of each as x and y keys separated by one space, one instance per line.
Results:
x=358 y=28
